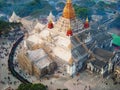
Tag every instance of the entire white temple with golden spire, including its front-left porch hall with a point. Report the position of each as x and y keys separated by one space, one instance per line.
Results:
x=66 y=43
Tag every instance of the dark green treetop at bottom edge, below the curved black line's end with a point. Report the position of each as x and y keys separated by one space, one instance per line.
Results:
x=31 y=87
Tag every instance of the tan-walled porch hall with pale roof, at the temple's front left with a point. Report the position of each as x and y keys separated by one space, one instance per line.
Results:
x=36 y=62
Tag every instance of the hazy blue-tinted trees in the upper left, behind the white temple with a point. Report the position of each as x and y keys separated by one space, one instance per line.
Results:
x=24 y=7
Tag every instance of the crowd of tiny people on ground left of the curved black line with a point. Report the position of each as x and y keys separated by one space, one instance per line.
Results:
x=6 y=43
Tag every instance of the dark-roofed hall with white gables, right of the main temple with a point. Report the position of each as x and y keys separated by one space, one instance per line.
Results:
x=102 y=63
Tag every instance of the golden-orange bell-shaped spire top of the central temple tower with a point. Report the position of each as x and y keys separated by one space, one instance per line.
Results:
x=68 y=11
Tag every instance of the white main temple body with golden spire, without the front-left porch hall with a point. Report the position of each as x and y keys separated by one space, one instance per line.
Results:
x=64 y=41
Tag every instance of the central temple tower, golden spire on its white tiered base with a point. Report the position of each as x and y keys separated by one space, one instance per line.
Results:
x=67 y=19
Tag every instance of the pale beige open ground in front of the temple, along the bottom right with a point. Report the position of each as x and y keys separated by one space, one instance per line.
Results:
x=85 y=81
